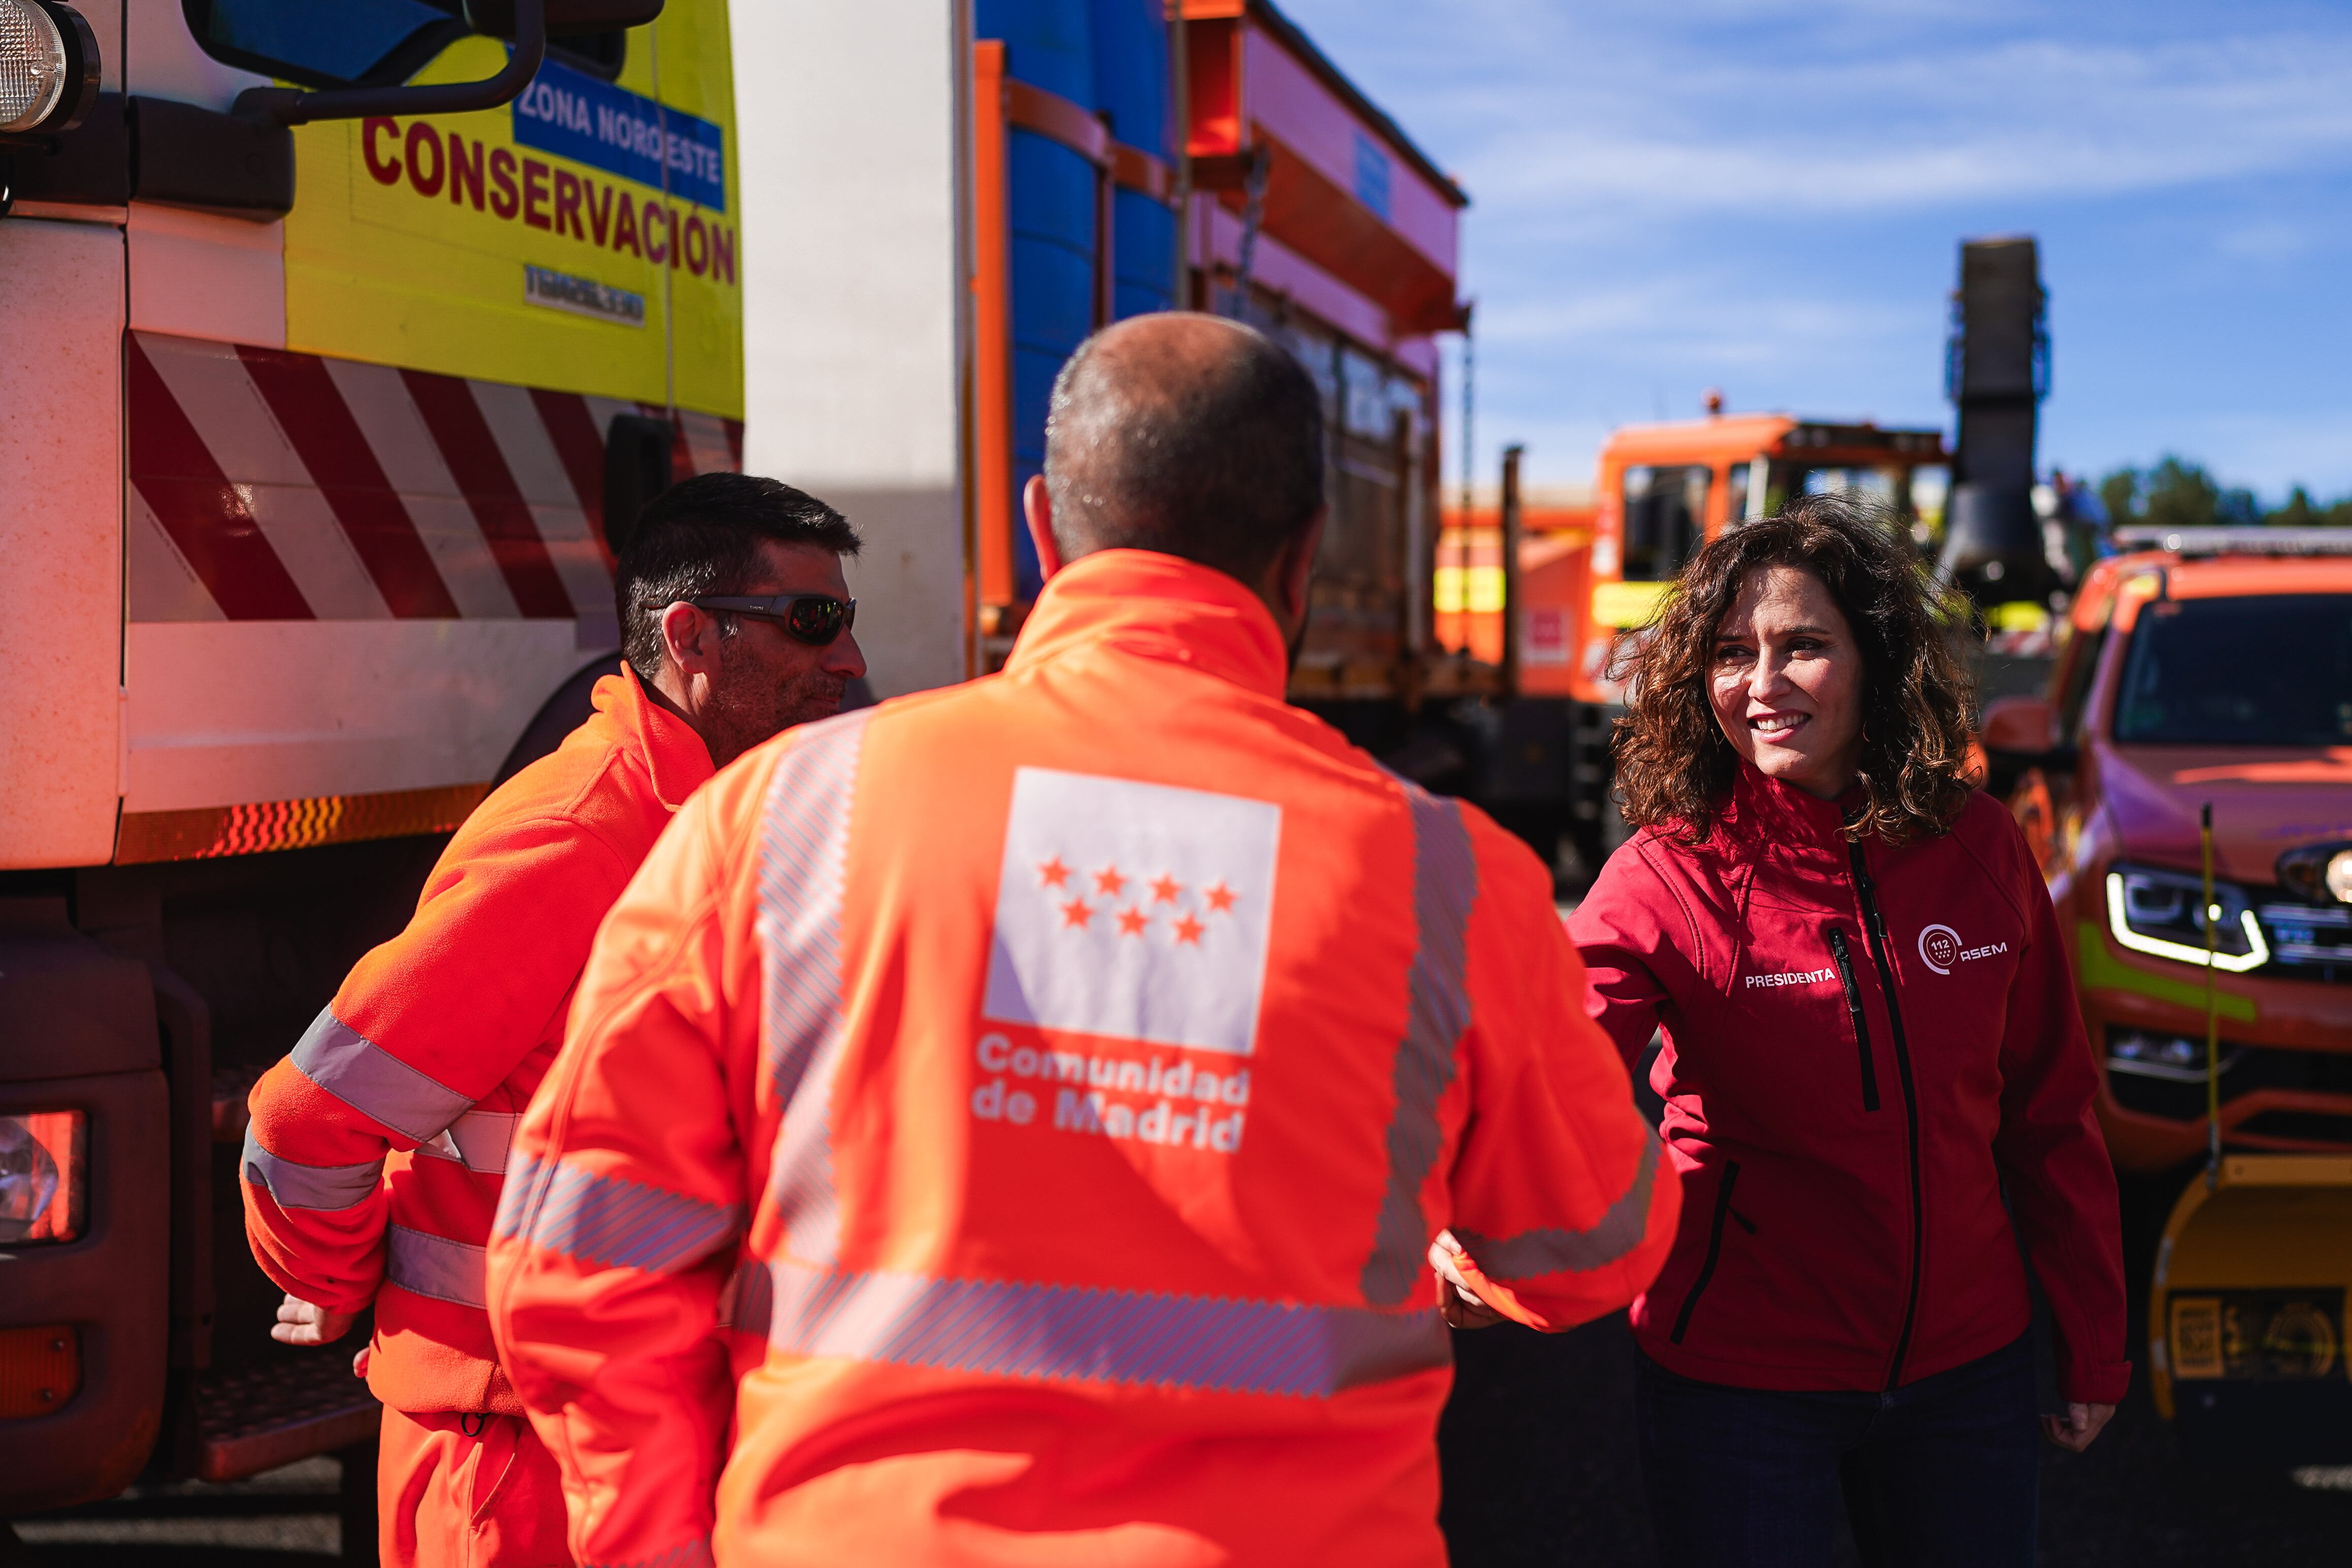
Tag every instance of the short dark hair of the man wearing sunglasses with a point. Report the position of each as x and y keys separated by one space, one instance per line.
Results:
x=704 y=537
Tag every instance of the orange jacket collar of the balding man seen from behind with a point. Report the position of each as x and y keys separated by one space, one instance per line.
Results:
x=1156 y=608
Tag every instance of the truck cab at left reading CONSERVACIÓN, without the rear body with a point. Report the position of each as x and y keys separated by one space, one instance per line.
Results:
x=338 y=335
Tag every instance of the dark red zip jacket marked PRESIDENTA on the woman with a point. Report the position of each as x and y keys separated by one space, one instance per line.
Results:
x=1866 y=1047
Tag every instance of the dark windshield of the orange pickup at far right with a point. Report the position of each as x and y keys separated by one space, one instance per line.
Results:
x=2252 y=671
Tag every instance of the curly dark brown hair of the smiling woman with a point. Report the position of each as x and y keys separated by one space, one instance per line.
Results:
x=1673 y=760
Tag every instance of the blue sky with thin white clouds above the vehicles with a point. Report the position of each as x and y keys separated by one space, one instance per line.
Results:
x=1768 y=196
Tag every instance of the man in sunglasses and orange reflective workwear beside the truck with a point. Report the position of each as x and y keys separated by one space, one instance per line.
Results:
x=377 y=1148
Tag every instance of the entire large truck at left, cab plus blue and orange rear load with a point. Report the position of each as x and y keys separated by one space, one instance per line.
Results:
x=345 y=347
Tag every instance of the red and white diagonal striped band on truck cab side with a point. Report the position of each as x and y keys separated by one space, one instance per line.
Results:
x=272 y=485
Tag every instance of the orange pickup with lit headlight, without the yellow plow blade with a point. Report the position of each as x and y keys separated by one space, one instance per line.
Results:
x=2212 y=669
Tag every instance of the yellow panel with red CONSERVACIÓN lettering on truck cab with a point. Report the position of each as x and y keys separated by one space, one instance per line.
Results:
x=554 y=243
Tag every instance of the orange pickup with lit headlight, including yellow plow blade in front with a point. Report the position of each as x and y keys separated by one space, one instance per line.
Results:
x=2186 y=782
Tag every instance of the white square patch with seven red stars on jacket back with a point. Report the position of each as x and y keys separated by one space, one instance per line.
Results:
x=1135 y=911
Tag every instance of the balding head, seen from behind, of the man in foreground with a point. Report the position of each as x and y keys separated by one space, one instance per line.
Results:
x=1184 y=434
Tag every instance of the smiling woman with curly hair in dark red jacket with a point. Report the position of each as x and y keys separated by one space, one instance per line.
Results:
x=1873 y=1071
